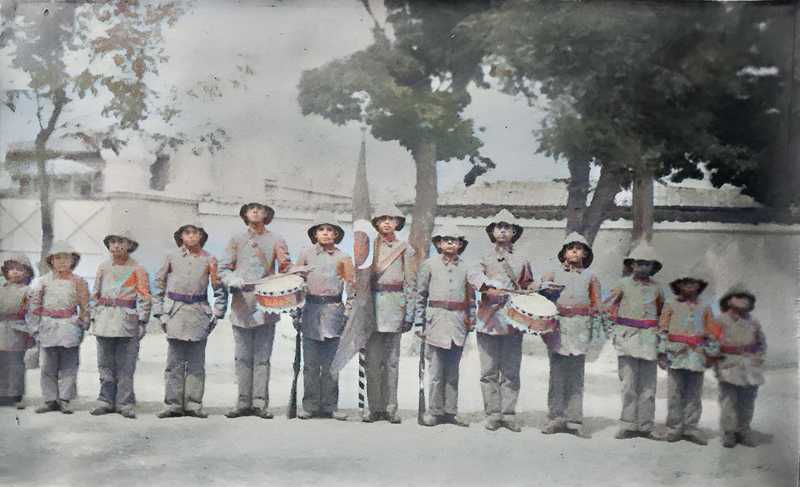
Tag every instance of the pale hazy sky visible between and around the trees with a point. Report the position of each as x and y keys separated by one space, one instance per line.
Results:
x=270 y=138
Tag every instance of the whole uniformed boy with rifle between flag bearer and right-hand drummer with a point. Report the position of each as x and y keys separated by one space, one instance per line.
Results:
x=445 y=305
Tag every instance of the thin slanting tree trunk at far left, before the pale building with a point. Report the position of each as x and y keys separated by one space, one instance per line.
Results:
x=59 y=99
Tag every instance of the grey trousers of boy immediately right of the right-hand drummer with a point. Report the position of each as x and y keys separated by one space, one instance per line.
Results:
x=565 y=392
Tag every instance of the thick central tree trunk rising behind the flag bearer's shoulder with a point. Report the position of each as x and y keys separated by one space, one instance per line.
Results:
x=425 y=199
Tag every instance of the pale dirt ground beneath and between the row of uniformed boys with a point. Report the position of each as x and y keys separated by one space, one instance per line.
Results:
x=82 y=450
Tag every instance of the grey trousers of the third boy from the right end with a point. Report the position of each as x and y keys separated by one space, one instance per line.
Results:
x=638 y=378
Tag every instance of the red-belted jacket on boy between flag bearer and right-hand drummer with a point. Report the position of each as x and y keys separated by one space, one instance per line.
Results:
x=444 y=281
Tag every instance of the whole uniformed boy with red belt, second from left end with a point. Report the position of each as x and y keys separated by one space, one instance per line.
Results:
x=59 y=318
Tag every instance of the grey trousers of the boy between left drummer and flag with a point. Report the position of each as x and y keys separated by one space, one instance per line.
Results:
x=320 y=386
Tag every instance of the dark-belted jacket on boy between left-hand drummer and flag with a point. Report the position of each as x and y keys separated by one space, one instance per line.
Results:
x=332 y=274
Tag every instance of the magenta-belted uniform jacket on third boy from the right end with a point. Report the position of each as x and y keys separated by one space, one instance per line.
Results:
x=636 y=301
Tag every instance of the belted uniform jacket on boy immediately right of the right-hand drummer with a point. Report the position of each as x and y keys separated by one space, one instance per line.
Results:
x=576 y=303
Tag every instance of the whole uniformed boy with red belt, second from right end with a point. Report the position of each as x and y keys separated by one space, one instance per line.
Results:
x=688 y=333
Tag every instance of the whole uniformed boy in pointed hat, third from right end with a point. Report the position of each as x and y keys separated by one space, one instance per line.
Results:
x=635 y=304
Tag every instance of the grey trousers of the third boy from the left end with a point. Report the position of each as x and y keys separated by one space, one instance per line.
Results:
x=116 y=365
